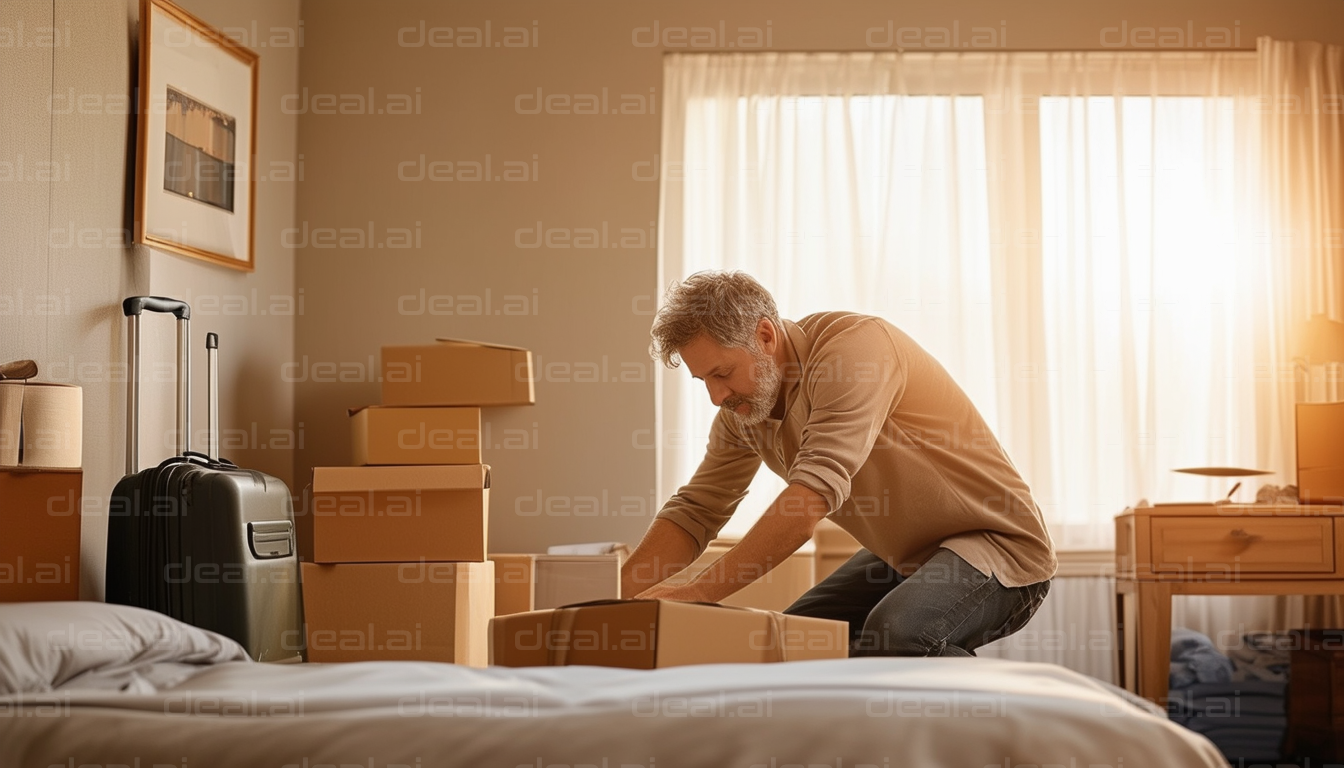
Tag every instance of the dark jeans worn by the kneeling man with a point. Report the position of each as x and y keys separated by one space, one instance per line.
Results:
x=946 y=609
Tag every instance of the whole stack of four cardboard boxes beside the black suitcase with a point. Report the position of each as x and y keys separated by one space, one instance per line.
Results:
x=394 y=548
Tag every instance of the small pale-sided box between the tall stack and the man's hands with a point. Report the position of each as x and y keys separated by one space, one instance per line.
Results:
x=533 y=582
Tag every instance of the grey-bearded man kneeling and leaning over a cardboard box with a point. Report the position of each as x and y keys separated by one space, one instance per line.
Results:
x=870 y=432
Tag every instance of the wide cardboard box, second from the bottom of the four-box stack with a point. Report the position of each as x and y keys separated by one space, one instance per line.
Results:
x=396 y=514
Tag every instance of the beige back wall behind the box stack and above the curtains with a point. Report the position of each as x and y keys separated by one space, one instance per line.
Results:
x=589 y=301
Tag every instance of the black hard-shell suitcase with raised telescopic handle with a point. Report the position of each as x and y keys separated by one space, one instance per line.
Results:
x=197 y=537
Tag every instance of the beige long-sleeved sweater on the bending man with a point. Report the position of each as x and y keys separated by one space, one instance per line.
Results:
x=877 y=427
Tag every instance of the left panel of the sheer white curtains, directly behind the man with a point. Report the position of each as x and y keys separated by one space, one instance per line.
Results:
x=837 y=194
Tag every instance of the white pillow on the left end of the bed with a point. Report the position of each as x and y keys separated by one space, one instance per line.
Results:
x=46 y=645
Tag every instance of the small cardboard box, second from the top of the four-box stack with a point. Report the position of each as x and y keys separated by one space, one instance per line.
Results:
x=428 y=435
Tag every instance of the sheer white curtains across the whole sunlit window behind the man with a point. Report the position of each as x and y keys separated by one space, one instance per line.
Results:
x=1072 y=235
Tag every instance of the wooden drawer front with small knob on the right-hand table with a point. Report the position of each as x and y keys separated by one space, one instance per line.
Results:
x=1244 y=545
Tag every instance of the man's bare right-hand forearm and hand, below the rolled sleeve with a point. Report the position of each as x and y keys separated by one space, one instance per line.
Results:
x=786 y=527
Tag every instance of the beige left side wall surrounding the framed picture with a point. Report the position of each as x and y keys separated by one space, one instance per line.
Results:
x=65 y=260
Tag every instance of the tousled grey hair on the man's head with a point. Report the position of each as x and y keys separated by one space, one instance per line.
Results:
x=726 y=306
